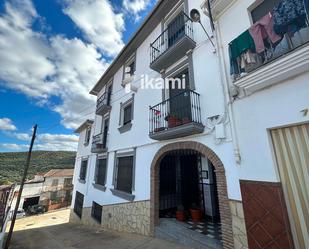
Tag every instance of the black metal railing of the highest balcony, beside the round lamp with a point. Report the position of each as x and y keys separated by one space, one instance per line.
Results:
x=181 y=26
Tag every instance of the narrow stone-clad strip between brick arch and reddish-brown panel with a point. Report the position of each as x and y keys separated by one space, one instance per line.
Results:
x=239 y=227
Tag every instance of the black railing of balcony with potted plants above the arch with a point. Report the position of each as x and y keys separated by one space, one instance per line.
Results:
x=181 y=109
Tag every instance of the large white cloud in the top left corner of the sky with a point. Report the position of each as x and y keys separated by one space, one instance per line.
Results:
x=24 y=54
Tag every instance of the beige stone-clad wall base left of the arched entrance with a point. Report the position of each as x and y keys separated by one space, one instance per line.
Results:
x=133 y=217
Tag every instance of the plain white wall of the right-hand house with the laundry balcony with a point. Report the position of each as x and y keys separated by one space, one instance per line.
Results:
x=277 y=106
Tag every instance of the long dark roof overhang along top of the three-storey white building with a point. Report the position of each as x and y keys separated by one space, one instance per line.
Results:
x=162 y=8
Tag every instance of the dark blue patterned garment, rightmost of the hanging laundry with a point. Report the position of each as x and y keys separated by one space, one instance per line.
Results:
x=289 y=16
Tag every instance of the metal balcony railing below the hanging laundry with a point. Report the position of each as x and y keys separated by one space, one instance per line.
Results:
x=288 y=43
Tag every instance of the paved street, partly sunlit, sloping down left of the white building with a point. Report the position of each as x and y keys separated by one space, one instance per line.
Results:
x=52 y=231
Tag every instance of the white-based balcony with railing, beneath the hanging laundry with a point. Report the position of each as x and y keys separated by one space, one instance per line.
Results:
x=279 y=62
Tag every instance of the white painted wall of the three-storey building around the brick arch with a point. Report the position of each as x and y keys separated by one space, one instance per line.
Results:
x=207 y=83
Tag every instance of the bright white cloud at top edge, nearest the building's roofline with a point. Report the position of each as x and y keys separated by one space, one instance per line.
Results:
x=99 y=22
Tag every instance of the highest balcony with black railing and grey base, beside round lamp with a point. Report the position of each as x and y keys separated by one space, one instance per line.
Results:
x=172 y=44
